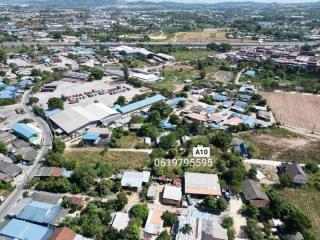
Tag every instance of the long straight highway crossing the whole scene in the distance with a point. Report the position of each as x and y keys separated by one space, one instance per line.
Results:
x=188 y=44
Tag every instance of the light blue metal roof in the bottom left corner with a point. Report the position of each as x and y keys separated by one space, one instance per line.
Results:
x=19 y=229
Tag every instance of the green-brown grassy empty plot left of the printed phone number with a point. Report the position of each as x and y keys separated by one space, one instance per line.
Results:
x=119 y=160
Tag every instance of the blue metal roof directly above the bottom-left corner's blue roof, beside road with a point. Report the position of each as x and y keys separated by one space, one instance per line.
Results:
x=40 y=212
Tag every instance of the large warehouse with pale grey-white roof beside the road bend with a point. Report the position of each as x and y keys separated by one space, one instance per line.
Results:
x=76 y=118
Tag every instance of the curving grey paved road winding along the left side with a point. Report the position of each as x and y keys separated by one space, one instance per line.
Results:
x=46 y=143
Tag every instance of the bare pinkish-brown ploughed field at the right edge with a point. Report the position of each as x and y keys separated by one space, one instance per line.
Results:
x=296 y=110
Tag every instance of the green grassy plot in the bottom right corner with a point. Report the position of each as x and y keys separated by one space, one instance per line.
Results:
x=308 y=202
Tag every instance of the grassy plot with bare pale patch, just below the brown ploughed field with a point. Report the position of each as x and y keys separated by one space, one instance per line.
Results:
x=280 y=144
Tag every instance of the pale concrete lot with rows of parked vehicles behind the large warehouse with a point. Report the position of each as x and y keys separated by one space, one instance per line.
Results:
x=89 y=92
